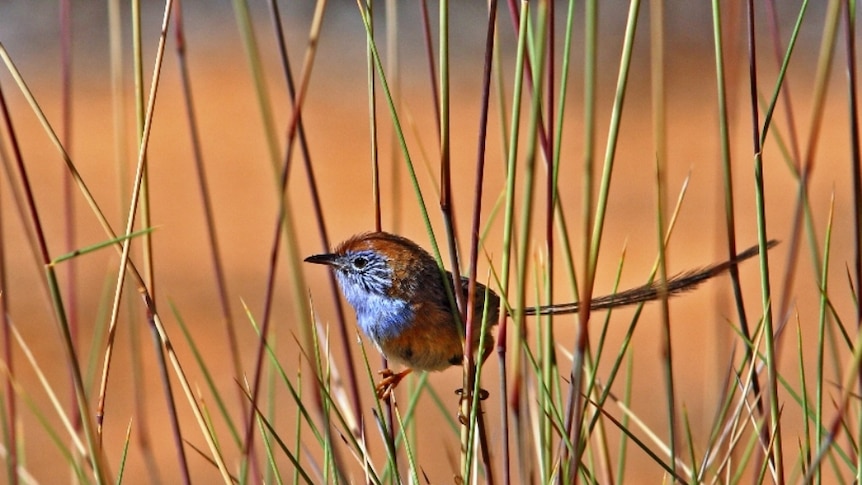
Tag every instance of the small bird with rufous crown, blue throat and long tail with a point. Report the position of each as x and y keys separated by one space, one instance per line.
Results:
x=399 y=296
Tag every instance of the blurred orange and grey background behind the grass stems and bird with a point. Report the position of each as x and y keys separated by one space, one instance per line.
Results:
x=244 y=190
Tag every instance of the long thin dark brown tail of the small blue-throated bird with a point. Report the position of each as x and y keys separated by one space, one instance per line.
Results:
x=677 y=284
